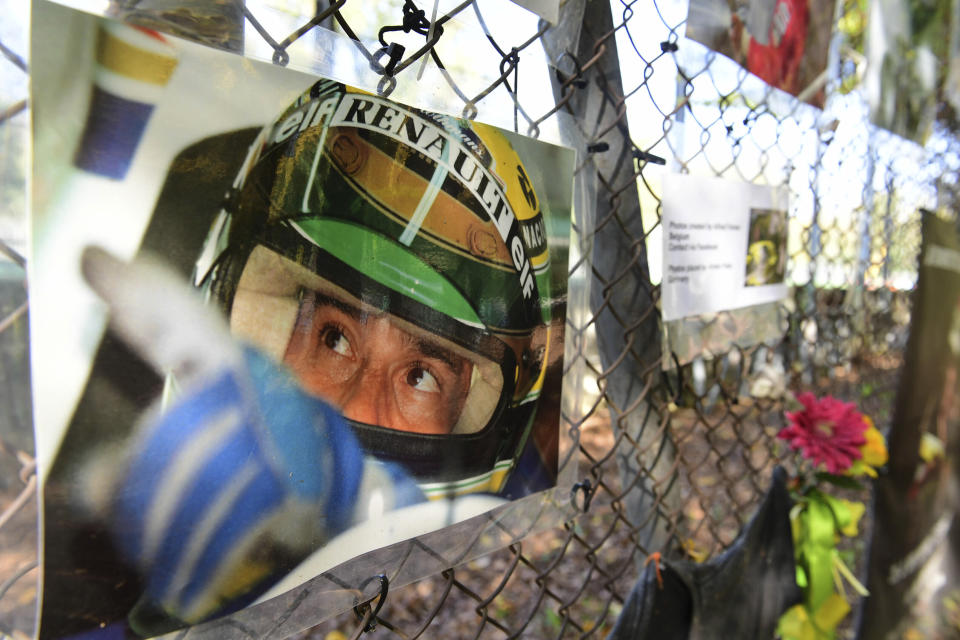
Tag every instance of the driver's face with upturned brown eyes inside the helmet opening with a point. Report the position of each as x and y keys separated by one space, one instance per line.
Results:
x=374 y=371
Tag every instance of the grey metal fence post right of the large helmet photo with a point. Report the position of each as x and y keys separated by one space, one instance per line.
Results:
x=622 y=298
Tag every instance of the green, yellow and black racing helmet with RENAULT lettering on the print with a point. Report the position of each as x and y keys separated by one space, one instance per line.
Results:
x=353 y=202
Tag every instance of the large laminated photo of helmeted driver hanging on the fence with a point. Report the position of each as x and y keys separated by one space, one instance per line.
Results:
x=274 y=318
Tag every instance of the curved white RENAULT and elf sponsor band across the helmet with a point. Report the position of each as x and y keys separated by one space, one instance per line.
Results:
x=362 y=111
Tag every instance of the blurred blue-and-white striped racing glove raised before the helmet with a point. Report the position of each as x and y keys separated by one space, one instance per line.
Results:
x=219 y=495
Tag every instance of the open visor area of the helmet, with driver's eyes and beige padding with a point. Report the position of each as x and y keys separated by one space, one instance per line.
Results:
x=377 y=368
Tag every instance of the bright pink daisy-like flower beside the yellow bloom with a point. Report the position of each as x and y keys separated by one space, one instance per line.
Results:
x=827 y=432
